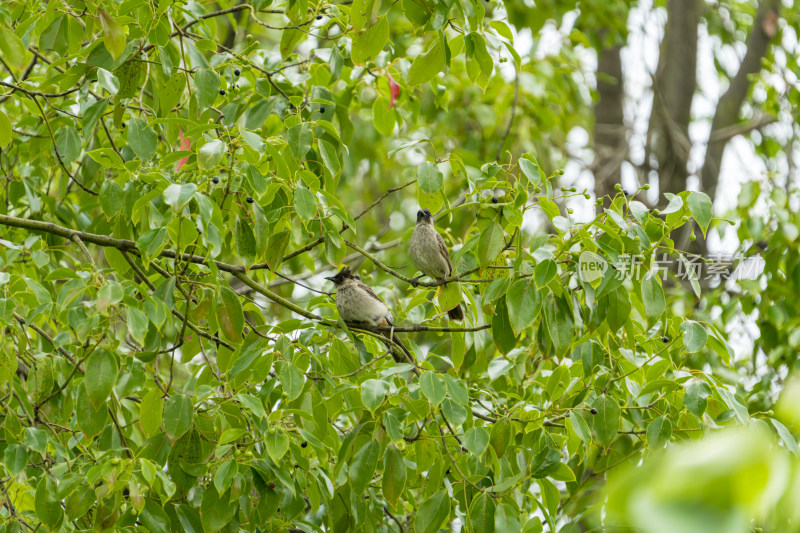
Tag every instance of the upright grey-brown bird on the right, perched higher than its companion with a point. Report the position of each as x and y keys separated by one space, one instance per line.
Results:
x=429 y=254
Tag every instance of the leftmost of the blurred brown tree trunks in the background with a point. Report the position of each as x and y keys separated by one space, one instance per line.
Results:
x=611 y=145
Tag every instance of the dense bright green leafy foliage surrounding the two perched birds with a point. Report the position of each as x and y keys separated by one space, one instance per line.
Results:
x=180 y=177
